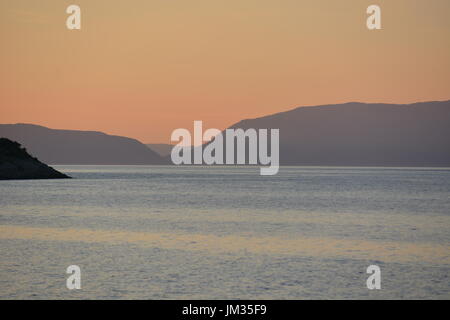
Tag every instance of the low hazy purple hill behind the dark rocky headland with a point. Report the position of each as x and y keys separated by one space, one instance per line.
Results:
x=79 y=147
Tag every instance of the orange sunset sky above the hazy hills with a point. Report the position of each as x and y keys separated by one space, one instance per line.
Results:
x=143 y=68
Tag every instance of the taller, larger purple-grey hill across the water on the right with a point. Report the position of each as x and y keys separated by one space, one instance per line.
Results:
x=360 y=134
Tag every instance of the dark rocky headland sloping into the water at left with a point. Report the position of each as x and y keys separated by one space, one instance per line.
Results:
x=16 y=163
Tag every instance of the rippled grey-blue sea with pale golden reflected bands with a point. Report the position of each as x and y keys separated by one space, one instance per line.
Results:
x=160 y=232
